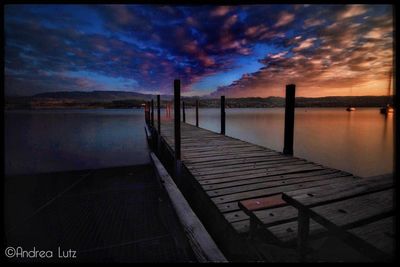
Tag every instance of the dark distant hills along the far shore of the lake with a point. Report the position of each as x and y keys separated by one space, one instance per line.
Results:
x=122 y=99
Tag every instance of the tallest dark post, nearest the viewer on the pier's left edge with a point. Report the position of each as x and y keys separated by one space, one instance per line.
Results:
x=177 y=127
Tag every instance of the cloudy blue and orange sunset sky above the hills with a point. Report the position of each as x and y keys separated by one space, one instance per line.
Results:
x=236 y=51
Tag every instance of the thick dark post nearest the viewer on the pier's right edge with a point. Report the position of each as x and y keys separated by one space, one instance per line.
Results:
x=289 y=119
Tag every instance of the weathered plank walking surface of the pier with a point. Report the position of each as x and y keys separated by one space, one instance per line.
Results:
x=229 y=170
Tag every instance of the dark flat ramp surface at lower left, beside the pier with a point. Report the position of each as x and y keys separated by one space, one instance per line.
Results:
x=108 y=215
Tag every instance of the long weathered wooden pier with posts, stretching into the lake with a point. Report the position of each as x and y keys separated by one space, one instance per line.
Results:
x=221 y=177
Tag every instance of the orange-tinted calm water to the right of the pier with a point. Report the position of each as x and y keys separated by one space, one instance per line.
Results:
x=360 y=142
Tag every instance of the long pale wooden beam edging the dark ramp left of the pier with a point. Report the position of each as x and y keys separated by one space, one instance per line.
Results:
x=202 y=244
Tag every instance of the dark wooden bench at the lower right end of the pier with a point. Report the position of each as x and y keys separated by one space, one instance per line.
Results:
x=338 y=207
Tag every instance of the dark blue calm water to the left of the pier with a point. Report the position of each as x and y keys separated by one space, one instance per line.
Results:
x=57 y=140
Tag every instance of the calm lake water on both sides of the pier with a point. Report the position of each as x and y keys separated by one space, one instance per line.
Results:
x=359 y=142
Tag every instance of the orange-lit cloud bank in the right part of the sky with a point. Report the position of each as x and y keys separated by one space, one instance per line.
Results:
x=349 y=55
